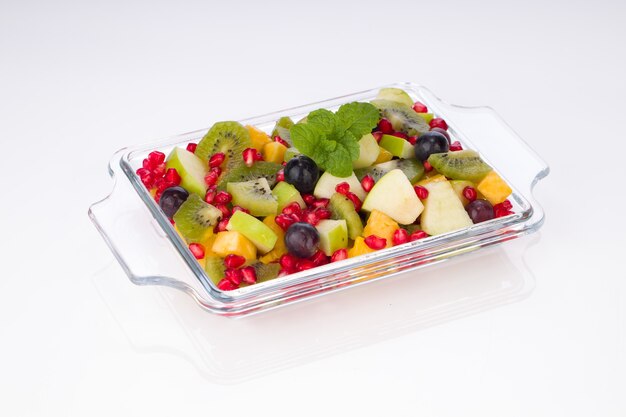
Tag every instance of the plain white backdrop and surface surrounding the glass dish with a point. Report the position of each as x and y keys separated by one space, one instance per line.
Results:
x=78 y=80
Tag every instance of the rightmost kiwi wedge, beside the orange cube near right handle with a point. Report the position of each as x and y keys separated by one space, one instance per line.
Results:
x=460 y=165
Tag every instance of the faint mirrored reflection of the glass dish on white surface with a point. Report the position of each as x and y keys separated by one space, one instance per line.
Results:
x=230 y=351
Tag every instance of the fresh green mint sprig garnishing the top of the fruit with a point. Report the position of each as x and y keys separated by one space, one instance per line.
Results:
x=331 y=139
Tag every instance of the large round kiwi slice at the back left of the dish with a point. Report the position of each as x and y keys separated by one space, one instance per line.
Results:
x=230 y=138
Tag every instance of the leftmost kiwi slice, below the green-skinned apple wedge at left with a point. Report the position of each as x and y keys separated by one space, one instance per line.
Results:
x=195 y=218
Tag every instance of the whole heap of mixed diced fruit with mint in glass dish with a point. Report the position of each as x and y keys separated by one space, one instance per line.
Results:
x=253 y=206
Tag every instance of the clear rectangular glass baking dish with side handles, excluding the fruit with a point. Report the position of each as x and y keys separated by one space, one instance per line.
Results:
x=152 y=253
